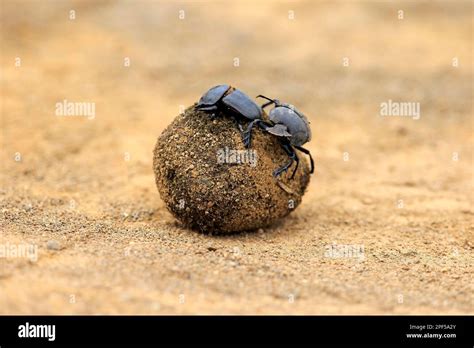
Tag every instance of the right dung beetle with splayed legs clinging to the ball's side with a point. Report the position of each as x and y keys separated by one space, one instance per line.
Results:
x=292 y=128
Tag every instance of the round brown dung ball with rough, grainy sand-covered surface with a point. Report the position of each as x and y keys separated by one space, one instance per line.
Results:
x=211 y=183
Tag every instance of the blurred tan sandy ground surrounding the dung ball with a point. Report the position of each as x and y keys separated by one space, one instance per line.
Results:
x=395 y=193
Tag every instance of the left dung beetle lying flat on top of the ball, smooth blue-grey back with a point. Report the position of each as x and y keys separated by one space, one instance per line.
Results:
x=232 y=99
